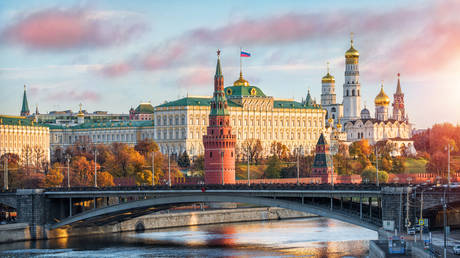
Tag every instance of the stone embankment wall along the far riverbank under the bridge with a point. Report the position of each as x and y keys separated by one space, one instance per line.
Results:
x=22 y=231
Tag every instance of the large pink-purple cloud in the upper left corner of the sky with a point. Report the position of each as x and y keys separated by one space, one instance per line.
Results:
x=61 y=29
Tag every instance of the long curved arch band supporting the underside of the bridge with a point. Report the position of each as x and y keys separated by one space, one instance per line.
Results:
x=209 y=197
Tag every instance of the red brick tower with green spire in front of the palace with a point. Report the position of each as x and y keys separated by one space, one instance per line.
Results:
x=219 y=142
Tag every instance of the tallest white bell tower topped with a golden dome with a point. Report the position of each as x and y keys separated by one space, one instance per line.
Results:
x=352 y=86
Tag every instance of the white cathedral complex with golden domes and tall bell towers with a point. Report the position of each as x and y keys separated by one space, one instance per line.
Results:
x=359 y=124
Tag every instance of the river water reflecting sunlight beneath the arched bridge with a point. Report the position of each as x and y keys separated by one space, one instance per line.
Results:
x=313 y=237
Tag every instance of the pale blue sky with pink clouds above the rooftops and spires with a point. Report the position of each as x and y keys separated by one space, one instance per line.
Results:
x=112 y=55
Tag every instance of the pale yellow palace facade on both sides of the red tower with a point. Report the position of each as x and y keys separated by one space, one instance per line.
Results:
x=182 y=128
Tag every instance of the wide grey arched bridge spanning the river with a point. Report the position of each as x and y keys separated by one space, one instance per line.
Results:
x=364 y=205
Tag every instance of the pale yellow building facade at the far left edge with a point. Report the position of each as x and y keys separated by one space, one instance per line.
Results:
x=15 y=138
